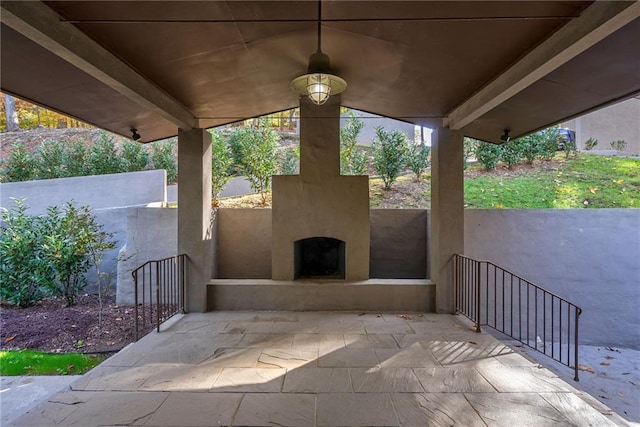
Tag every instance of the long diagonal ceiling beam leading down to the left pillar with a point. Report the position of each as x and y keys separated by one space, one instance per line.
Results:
x=39 y=23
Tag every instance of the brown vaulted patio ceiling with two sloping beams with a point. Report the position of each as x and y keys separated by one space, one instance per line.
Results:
x=477 y=66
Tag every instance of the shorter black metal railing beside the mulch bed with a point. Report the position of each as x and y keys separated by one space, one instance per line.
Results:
x=159 y=288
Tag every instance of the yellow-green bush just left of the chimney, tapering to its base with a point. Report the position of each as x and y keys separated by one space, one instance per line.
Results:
x=257 y=151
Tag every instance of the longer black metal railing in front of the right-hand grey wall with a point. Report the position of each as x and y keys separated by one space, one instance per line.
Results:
x=490 y=295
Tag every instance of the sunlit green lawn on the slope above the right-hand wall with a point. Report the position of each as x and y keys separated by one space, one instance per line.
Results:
x=588 y=181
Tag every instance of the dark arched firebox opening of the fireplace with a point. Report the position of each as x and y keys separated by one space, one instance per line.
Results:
x=319 y=258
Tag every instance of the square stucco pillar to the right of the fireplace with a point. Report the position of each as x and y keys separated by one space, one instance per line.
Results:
x=447 y=213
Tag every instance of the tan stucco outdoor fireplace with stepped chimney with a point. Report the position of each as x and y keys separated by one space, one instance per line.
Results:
x=320 y=219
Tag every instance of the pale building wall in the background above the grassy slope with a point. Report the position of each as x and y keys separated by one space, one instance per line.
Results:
x=620 y=121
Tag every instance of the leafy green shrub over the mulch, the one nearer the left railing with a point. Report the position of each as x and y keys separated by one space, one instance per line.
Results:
x=70 y=244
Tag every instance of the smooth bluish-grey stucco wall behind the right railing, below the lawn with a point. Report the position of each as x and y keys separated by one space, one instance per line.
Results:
x=591 y=257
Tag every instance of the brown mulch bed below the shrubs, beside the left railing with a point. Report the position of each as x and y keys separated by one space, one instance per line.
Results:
x=51 y=327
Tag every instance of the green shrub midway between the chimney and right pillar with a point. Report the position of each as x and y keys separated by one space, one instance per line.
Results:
x=390 y=151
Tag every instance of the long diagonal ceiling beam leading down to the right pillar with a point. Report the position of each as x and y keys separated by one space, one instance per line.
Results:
x=596 y=22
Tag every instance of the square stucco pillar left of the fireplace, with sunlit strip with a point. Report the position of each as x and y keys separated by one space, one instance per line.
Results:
x=194 y=214
